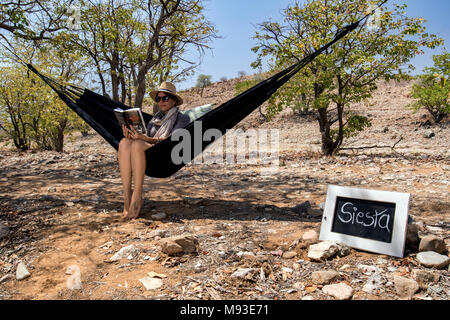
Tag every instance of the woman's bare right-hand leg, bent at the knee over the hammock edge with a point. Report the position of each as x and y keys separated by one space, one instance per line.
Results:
x=138 y=164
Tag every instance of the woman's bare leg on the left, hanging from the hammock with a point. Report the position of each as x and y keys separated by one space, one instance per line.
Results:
x=125 y=172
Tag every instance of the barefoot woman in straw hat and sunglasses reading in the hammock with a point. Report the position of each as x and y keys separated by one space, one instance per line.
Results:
x=132 y=147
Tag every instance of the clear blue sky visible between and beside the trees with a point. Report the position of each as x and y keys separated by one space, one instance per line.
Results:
x=235 y=21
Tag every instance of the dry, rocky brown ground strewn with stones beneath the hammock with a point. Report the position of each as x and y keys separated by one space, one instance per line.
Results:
x=227 y=231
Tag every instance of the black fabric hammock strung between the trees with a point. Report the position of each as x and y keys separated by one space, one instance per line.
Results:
x=97 y=111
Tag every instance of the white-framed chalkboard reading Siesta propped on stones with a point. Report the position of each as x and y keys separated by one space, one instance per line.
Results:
x=370 y=220
